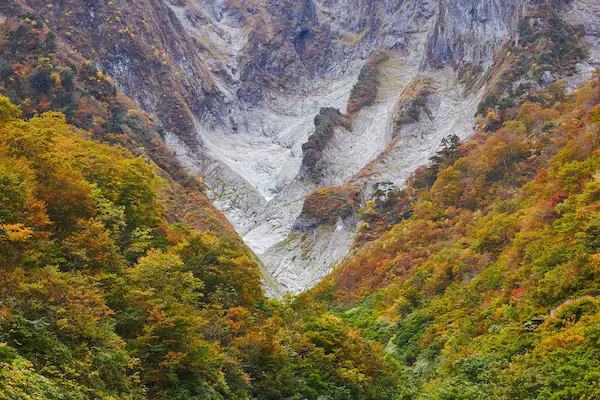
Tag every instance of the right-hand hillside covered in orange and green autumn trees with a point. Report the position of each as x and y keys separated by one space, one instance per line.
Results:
x=487 y=287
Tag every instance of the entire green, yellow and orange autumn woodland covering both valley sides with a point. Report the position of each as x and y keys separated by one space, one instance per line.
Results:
x=479 y=280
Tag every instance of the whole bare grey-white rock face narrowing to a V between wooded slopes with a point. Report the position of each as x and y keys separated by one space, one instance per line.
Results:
x=238 y=83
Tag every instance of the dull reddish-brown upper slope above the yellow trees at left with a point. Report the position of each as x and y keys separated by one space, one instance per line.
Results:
x=39 y=74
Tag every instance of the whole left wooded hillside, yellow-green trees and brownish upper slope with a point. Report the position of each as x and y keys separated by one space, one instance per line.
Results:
x=119 y=279
